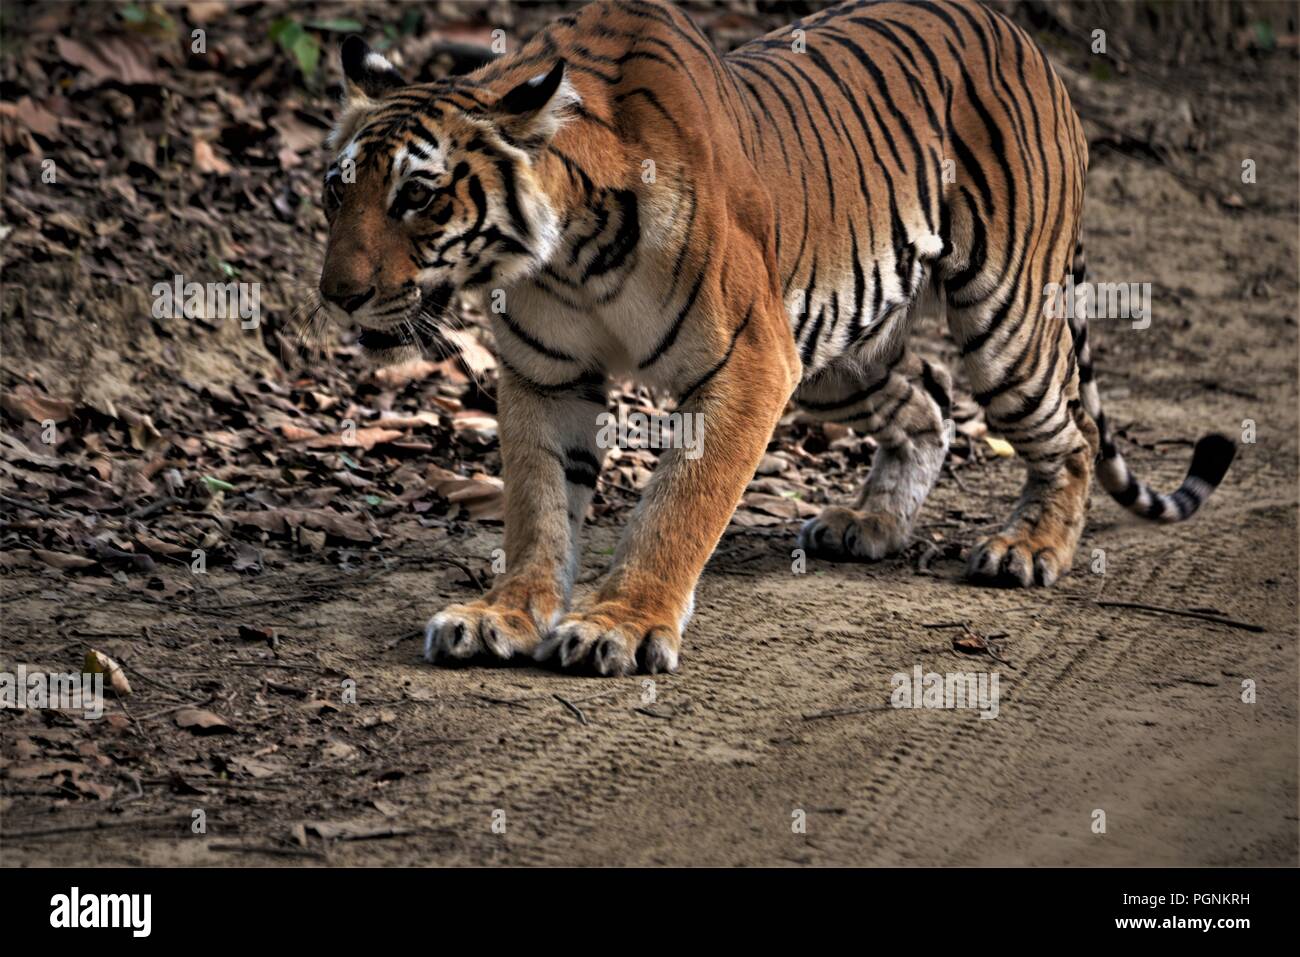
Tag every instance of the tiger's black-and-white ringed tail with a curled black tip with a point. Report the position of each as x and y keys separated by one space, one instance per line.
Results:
x=1211 y=458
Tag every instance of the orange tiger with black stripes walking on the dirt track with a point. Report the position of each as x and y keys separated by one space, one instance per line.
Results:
x=736 y=232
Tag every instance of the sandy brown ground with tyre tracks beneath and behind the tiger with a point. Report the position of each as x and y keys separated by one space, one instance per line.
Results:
x=777 y=743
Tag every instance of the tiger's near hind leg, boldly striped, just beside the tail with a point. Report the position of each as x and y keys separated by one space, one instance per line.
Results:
x=1026 y=379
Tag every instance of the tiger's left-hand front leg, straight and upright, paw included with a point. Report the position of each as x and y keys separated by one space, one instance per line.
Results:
x=551 y=464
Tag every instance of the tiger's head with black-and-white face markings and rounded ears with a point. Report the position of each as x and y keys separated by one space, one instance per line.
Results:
x=432 y=190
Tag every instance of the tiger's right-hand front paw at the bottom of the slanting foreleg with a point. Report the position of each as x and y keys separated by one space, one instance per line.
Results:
x=613 y=639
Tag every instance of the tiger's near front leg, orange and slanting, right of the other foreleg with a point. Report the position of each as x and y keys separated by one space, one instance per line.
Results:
x=642 y=608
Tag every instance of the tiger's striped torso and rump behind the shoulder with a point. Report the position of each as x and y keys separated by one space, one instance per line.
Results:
x=915 y=140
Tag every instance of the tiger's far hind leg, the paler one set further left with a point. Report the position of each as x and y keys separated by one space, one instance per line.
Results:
x=904 y=406
